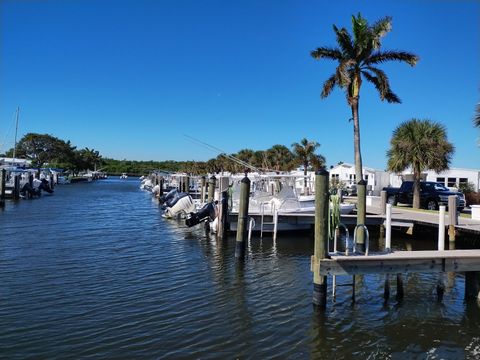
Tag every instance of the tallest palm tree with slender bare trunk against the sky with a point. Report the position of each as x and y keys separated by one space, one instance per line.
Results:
x=358 y=56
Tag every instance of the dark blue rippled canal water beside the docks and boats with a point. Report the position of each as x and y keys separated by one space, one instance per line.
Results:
x=95 y=271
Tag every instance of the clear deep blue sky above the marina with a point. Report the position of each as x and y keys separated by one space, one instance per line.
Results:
x=130 y=77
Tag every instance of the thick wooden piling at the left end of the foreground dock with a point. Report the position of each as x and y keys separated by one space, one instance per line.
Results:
x=321 y=238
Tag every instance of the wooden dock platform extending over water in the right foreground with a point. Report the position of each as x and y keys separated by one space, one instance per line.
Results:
x=402 y=262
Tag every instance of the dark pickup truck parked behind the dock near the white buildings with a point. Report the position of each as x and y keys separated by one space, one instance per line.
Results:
x=432 y=195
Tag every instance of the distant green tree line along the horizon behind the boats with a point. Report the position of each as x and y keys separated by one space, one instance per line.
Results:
x=49 y=151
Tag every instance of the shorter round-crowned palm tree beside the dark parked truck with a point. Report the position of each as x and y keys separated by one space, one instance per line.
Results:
x=421 y=145
